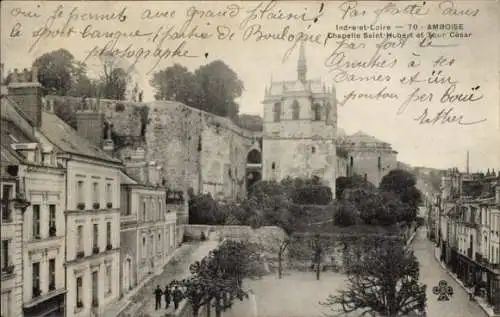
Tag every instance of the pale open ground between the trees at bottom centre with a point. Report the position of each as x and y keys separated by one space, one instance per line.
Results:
x=297 y=294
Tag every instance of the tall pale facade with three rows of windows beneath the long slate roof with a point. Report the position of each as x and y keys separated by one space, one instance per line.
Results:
x=93 y=219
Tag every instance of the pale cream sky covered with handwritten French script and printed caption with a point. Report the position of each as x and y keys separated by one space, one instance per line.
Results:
x=471 y=66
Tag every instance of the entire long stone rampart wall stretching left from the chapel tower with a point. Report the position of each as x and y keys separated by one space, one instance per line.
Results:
x=196 y=149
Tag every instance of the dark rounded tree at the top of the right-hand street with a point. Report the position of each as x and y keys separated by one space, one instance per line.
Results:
x=402 y=183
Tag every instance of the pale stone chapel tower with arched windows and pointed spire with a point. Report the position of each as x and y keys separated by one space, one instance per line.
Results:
x=300 y=122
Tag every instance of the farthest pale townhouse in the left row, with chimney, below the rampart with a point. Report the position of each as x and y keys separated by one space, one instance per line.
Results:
x=147 y=226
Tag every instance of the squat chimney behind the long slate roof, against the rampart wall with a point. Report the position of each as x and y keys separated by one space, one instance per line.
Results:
x=90 y=121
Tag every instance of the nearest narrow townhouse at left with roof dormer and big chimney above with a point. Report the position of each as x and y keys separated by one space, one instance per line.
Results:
x=41 y=180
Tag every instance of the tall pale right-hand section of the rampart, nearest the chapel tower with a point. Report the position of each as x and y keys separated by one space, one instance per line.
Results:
x=198 y=147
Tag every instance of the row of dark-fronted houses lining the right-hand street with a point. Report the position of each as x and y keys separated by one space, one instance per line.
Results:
x=469 y=226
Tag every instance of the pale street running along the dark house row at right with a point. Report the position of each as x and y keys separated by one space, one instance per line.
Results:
x=431 y=273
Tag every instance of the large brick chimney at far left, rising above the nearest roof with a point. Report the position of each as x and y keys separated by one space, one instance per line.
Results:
x=26 y=91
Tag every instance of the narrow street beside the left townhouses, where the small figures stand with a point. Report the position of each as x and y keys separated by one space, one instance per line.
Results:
x=141 y=299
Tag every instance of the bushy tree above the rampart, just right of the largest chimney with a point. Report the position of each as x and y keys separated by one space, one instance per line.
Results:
x=59 y=72
